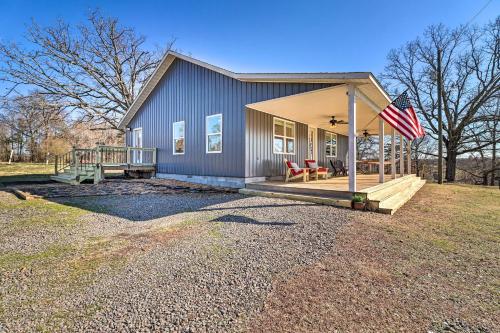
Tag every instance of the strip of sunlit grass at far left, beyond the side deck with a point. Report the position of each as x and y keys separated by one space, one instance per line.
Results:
x=25 y=171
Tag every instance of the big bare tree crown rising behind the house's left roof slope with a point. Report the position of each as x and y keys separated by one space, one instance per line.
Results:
x=95 y=68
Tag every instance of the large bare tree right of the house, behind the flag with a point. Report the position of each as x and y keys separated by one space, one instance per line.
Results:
x=471 y=78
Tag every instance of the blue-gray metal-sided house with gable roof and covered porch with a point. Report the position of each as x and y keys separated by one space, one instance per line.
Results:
x=213 y=126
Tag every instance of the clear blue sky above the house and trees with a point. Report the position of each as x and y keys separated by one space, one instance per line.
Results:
x=265 y=36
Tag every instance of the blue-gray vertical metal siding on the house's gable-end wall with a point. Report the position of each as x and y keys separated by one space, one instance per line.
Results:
x=190 y=92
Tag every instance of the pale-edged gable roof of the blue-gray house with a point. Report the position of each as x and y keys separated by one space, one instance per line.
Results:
x=170 y=56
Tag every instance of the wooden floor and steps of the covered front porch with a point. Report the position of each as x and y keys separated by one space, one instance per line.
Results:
x=384 y=197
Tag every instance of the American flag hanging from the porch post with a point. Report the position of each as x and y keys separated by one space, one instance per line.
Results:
x=402 y=117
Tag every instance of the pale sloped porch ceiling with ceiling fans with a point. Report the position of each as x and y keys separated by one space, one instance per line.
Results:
x=315 y=108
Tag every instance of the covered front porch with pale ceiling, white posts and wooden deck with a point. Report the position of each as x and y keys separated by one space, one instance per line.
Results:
x=353 y=105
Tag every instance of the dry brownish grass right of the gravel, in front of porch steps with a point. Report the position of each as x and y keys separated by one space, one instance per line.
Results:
x=435 y=260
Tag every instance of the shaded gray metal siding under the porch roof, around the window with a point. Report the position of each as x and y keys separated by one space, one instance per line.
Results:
x=260 y=159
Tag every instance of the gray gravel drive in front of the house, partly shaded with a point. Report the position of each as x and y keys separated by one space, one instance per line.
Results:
x=214 y=278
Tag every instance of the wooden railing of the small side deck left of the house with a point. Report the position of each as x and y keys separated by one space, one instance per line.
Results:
x=81 y=159
